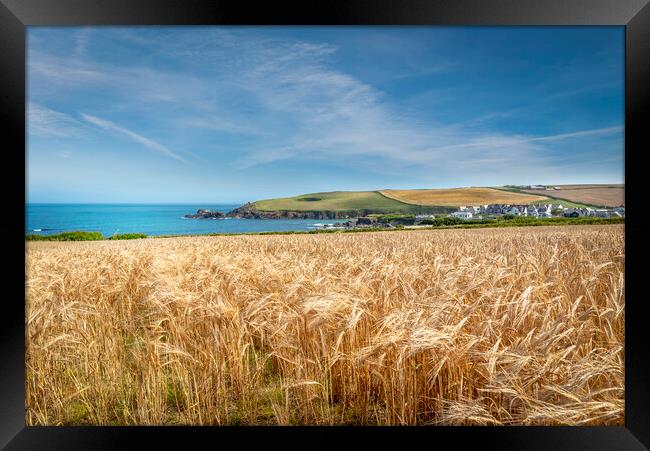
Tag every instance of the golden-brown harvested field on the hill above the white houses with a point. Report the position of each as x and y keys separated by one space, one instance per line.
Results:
x=461 y=196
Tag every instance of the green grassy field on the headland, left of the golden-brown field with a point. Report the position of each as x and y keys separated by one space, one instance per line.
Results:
x=339 y=201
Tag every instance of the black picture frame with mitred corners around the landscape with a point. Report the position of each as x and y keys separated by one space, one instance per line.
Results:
x=16 y=15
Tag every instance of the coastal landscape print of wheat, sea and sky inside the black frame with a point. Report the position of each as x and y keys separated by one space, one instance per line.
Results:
x=325 y=225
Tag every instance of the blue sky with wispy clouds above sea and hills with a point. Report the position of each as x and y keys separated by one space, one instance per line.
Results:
x=232 y=114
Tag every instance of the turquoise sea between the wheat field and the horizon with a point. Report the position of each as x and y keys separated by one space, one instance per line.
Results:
x=149 y=219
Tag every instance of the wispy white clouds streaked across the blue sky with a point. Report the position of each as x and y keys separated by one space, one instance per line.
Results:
x=291 y=101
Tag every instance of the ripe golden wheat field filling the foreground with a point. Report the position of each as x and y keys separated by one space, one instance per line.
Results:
x=444 y=327
